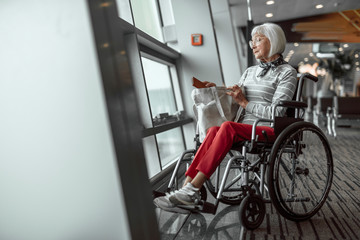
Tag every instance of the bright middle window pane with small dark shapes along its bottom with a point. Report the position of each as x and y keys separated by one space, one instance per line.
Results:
x=160 y=90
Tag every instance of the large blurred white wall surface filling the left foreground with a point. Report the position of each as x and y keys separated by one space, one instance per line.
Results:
x=58 y=177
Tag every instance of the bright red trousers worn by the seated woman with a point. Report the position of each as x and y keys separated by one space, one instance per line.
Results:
x=218 y=142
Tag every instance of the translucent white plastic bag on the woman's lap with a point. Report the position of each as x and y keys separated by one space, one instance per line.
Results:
x=212 y=107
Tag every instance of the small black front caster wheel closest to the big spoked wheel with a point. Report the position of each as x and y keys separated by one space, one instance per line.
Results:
x=252 y=211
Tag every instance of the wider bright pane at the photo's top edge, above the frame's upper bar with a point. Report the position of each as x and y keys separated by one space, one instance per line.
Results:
x=146 y=17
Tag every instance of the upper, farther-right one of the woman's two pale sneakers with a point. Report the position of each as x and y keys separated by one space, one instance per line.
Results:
x=188 y=195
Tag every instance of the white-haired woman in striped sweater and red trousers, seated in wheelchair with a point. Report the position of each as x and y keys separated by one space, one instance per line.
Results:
x=266 y=84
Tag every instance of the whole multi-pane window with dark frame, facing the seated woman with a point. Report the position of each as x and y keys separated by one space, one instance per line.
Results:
x=156 y=81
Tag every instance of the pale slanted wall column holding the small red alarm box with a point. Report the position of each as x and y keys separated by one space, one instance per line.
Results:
x=200 y=61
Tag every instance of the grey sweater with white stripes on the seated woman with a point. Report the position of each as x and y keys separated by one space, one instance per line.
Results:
x=264 y=92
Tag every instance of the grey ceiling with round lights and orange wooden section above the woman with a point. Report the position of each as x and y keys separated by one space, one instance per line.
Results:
x=336 y=23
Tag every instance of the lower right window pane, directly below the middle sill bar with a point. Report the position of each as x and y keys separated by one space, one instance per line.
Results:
x=170 y=145
